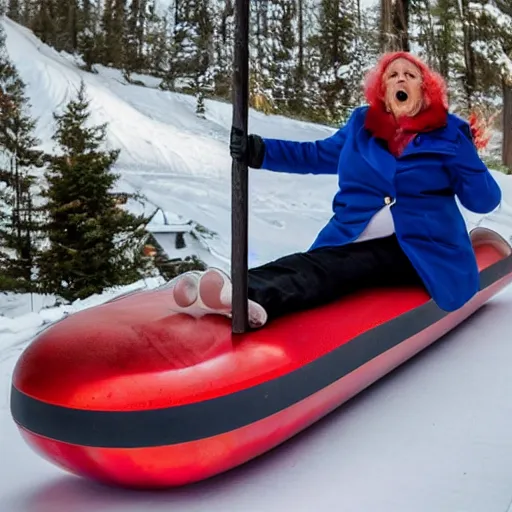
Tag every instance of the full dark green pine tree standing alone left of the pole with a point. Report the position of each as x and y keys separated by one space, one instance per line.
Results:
x=94 y=244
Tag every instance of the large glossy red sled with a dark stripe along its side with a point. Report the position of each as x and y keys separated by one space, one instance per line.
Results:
x=133 y=394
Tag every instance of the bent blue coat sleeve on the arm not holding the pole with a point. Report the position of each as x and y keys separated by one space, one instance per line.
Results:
x=473 y=184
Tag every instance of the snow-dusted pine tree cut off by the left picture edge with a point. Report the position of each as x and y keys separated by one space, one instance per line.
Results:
x=18 y=160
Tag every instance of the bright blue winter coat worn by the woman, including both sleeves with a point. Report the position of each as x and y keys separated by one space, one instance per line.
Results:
x=421 y=184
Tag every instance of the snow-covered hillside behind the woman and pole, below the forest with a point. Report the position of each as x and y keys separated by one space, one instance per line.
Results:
x=181 y=162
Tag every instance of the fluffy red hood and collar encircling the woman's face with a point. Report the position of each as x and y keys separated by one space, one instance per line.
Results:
x=383 y=124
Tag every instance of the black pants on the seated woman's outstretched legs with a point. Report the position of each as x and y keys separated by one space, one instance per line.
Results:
x=305 y=280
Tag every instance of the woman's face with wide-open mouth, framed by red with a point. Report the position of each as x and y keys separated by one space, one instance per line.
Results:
x=402 y=85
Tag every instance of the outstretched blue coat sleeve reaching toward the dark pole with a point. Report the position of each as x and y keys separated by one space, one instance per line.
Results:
x=318 y=157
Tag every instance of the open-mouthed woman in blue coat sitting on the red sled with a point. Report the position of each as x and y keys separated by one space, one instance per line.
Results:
x=400 y=161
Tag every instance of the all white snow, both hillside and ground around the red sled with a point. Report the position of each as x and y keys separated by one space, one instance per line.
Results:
x=434 y=435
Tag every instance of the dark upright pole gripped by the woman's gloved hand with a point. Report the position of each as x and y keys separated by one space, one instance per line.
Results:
x=239 y=172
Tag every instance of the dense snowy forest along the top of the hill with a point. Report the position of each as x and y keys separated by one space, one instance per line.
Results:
x=308 y=57
